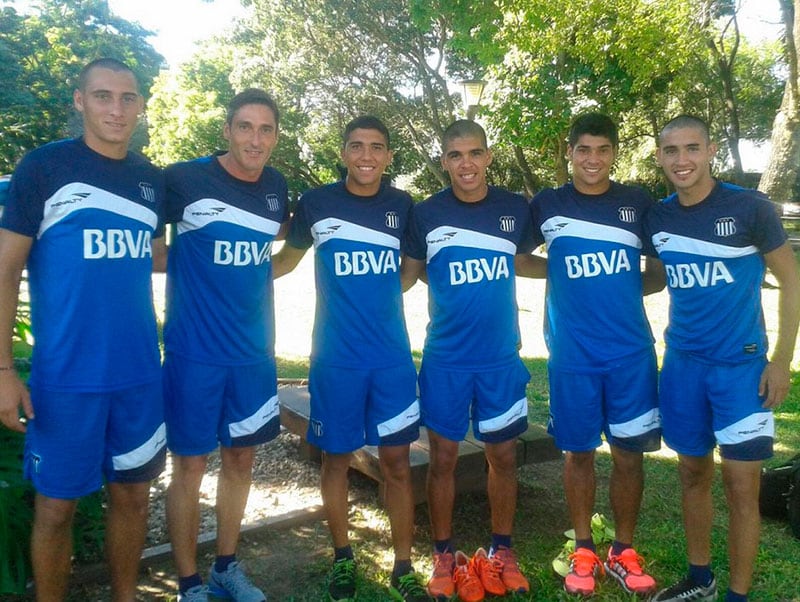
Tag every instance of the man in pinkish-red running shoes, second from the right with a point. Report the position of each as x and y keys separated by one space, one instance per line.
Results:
x=602 y=365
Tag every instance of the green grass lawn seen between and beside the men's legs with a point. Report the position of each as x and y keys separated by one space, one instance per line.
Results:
x=542 y=519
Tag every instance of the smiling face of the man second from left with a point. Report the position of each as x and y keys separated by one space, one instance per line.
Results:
x=252 y=135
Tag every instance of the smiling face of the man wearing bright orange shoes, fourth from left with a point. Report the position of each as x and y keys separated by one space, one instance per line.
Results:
x=466 y=159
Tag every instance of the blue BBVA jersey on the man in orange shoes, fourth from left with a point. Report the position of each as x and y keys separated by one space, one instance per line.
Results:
x=469 y=251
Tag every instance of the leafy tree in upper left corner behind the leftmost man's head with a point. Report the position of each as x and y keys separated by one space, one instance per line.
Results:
x=42 y=54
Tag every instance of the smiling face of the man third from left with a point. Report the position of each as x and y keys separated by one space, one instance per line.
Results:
x=366 y=156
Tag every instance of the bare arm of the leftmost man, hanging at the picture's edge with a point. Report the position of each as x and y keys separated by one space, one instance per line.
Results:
x=14 y=250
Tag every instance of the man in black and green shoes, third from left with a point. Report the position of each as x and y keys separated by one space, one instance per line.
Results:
x=362 y=380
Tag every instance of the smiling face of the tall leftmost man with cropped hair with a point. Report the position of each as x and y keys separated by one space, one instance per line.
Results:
x=110 y=103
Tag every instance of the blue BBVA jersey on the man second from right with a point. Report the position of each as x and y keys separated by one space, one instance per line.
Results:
x=594 y=313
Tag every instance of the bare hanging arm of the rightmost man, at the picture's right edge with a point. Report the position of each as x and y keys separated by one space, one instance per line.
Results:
x=775 y=378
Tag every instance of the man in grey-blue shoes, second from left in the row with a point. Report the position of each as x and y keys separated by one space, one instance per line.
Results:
x=219 y=369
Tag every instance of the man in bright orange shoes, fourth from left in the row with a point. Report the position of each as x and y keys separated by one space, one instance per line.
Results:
x=465 y=239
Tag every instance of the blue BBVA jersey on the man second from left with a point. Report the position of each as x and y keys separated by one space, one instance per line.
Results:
x=220 y=306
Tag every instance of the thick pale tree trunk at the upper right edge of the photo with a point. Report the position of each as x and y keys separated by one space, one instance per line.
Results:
x=784 y=161
